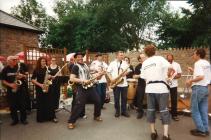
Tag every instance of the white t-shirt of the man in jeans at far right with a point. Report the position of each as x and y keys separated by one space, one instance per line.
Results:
x=202 y=68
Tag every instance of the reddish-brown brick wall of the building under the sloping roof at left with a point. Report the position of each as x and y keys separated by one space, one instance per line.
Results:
x=12 y=41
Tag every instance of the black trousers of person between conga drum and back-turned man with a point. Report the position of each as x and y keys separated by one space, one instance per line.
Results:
x=140 y=92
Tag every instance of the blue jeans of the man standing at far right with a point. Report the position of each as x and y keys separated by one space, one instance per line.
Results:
x=199 y=107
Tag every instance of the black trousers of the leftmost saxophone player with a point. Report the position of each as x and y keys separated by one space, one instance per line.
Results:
x=17 y=101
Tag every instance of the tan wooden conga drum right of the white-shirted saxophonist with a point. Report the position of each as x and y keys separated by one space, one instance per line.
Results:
x=132 y=86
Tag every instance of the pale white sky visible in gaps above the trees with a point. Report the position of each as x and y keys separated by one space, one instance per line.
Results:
x=6 y=5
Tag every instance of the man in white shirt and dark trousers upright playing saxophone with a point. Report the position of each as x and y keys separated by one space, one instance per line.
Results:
x=118 y=70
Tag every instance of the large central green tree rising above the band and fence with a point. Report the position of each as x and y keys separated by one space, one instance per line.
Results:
x=103 y=25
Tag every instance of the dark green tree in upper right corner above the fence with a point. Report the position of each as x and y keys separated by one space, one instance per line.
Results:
x=192 y=29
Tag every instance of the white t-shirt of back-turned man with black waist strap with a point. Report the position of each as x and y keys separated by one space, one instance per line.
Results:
x=155 y=68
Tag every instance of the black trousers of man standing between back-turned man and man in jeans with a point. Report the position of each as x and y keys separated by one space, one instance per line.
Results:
x=173 y=93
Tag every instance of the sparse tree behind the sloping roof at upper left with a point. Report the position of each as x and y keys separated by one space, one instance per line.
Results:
x=33 y=13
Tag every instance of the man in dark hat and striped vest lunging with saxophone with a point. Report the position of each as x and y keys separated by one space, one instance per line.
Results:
x=80 y=75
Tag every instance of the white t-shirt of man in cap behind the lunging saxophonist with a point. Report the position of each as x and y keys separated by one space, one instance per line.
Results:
x=99 y=66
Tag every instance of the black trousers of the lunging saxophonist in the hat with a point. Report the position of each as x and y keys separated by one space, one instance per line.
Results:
x=82 y=97
